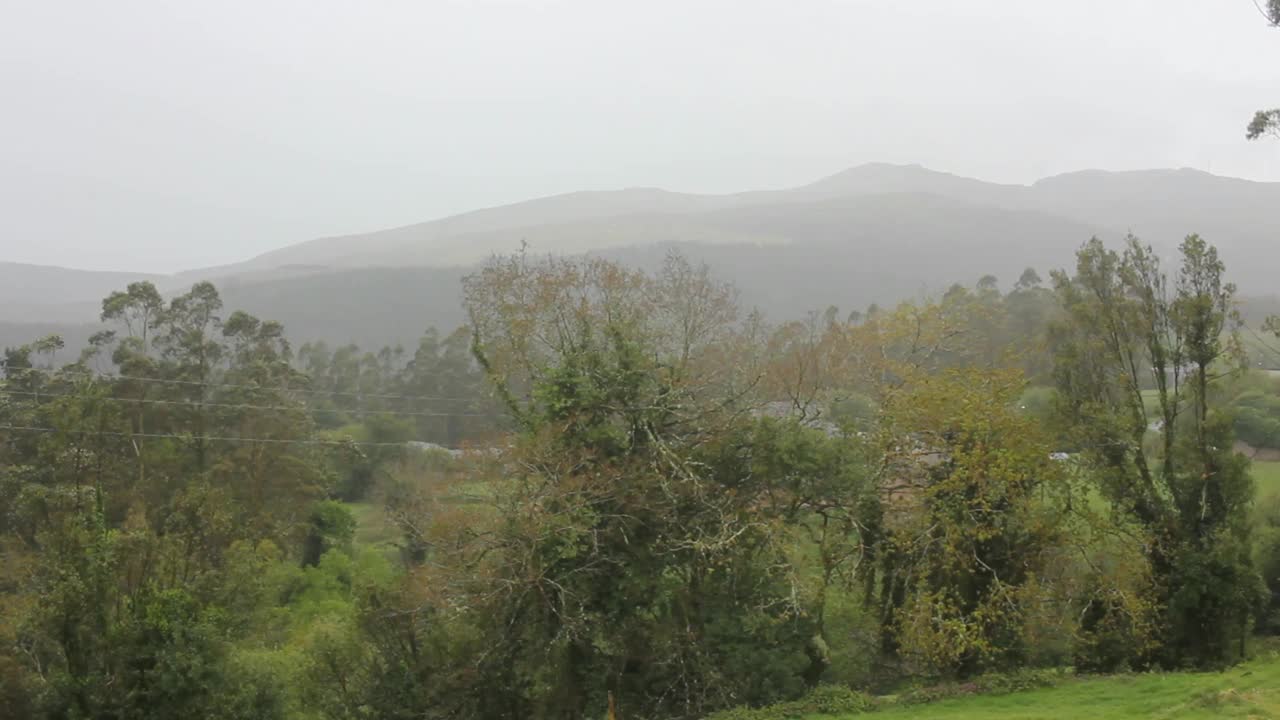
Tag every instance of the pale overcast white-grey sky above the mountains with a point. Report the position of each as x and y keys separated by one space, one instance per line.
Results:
x=159 y=136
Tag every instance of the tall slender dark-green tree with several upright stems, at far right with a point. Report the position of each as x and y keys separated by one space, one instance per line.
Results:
x=1167 y=462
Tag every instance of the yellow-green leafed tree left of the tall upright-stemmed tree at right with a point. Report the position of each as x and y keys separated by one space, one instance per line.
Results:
x=973 y=523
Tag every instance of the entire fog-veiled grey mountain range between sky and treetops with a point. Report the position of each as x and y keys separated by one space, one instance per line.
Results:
x=874 y=234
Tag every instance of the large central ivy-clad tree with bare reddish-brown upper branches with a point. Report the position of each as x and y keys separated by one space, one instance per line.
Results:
x=633 y=550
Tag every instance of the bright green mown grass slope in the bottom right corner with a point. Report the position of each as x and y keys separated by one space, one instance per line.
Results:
x=1247 y=691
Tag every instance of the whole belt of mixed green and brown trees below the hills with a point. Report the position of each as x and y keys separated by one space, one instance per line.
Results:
x=671 y=507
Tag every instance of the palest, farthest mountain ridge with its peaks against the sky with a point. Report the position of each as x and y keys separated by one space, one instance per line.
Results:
x=1163 y=204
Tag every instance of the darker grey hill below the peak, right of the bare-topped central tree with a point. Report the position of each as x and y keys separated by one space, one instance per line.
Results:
x=853 y=252
